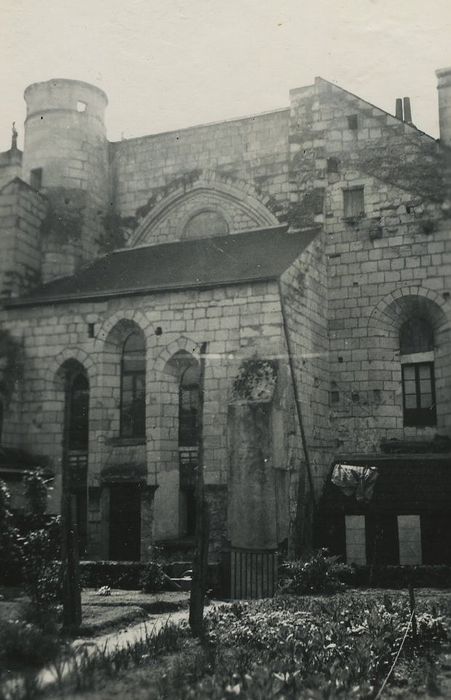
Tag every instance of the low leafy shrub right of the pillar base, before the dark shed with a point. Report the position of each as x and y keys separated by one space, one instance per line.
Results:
x=318 y=575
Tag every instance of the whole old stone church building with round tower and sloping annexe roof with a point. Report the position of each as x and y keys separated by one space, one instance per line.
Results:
x=319 y=232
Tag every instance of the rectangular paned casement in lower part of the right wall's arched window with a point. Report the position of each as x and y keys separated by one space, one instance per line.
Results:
x=419 y=394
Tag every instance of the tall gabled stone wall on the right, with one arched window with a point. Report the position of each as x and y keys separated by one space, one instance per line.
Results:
x=392 y=260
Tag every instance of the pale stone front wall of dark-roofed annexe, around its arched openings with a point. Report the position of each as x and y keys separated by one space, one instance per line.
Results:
x=237 y=322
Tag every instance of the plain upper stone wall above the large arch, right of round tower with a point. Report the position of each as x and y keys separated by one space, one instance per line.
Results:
x=248 y=153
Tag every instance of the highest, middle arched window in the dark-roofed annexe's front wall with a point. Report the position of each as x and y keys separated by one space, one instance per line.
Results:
x=133 y=379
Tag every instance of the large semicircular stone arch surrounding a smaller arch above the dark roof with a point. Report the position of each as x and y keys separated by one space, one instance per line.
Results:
x=238 y=203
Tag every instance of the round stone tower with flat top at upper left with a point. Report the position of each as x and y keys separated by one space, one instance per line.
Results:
x=66 y=157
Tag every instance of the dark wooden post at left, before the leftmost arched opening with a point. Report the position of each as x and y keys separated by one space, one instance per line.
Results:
x=69 y=540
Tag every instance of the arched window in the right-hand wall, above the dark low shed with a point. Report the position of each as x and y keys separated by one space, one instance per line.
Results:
x=416 y=342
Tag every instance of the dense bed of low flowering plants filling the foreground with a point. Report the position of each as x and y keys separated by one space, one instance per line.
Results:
x=290 y=647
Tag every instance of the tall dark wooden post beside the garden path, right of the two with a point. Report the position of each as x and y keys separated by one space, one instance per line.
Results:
x=200 y=562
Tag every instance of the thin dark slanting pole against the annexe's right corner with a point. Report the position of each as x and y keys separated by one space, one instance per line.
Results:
x=302 y=542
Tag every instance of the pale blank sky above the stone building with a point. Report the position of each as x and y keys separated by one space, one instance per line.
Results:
x=172 y=63
